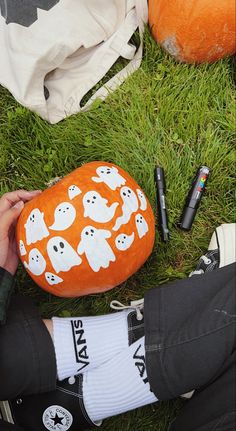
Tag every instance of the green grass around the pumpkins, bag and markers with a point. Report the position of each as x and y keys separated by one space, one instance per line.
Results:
x=179 y=116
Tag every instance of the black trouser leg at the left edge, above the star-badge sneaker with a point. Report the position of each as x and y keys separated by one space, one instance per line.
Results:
x=27 y=358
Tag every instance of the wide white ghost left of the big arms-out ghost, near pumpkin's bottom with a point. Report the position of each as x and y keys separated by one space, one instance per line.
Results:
x=62 y=256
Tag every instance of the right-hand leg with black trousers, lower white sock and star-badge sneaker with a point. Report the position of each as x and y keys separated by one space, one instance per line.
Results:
x=189 y=348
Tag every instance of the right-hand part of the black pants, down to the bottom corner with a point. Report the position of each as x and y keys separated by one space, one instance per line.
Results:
x=190 y=339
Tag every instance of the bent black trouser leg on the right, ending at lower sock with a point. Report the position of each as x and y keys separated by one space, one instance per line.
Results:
x=189 y=331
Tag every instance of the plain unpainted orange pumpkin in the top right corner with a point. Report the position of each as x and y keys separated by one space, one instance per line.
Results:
x=194 y=31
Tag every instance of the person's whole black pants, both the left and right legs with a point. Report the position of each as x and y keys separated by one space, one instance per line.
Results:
x=190 y=344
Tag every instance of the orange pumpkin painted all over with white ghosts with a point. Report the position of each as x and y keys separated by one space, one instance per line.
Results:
x=88 y=233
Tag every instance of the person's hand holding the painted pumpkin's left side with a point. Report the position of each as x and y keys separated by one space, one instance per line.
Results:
x=11 y=205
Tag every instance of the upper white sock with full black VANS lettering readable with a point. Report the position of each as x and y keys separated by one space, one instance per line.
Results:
x=84 y=343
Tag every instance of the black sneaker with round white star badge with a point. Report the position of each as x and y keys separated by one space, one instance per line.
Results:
x=59 y=410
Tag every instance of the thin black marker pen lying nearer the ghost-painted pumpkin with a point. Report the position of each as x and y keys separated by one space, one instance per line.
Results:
x=161 y=205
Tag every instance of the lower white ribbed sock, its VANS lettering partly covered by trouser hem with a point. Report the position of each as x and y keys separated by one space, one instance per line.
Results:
x=119 y=385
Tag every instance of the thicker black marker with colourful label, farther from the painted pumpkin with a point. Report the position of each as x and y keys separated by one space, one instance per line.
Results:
x=194 y=197
